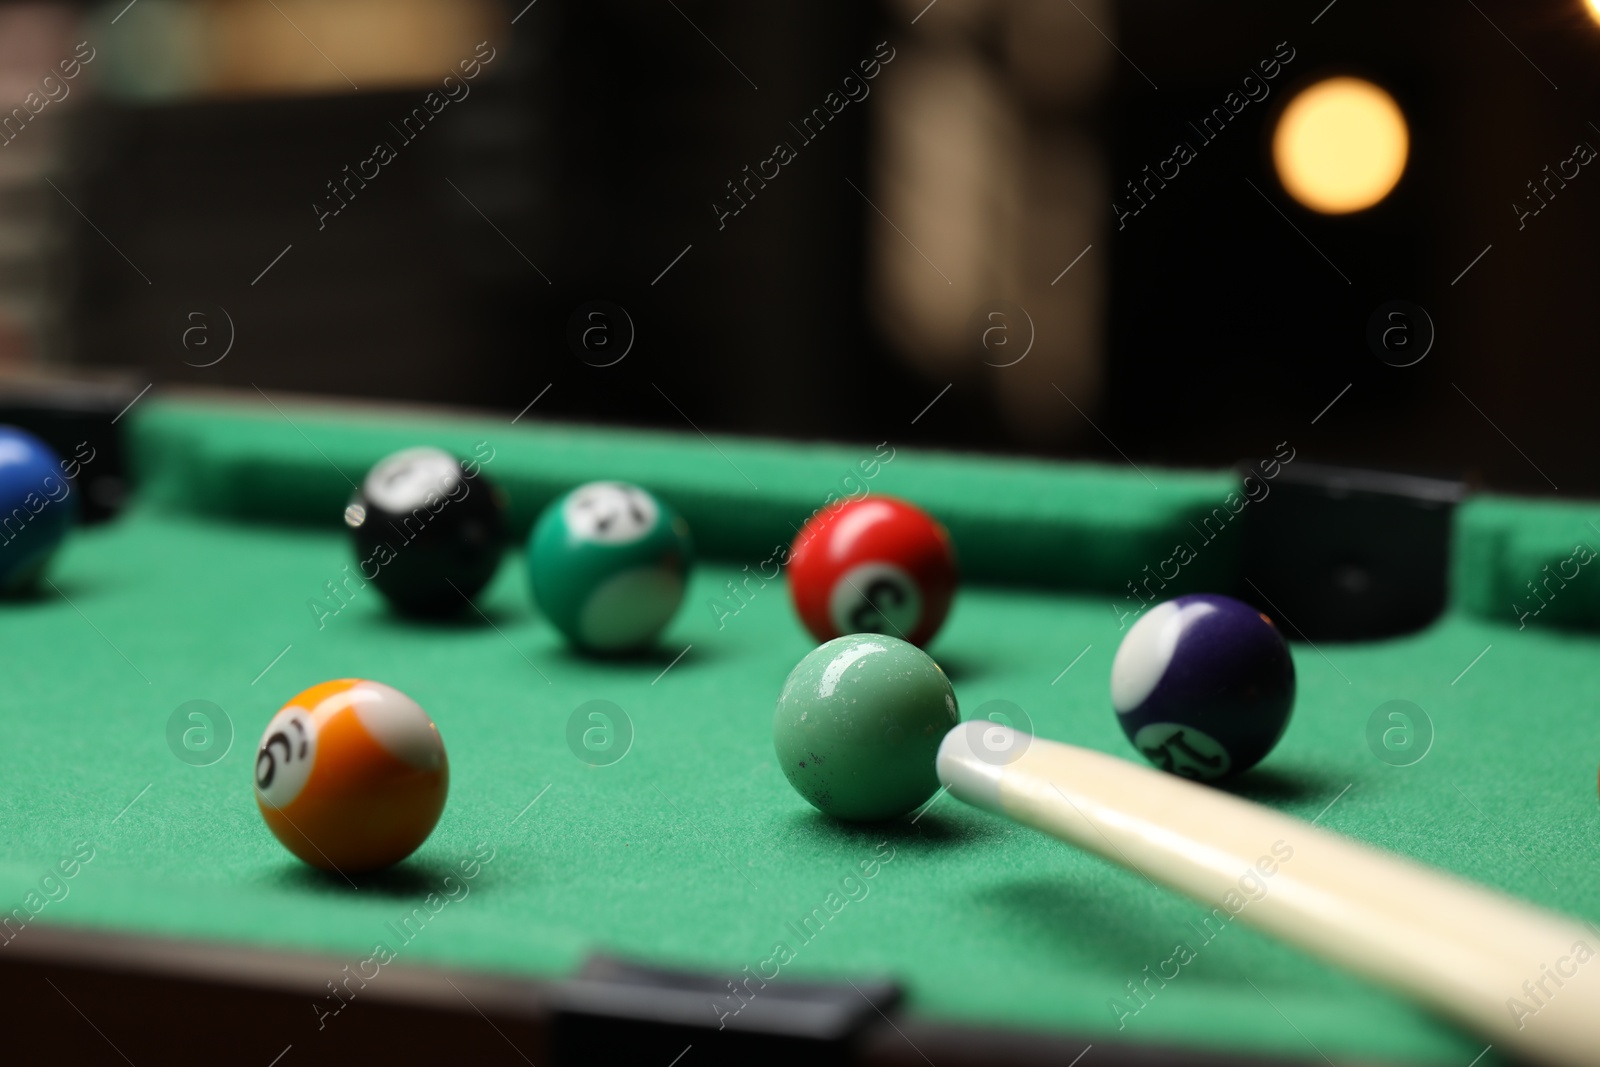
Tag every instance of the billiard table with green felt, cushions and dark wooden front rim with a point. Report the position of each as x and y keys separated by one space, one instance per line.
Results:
x=615 y=884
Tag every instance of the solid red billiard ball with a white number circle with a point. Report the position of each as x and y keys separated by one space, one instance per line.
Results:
x=878 y=565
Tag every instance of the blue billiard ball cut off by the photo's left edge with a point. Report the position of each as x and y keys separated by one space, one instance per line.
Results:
x=38 y=510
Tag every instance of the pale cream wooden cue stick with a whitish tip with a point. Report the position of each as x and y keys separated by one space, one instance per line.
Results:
x=1458 y=948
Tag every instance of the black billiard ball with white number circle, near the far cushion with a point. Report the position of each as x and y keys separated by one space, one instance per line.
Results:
x=430 y=530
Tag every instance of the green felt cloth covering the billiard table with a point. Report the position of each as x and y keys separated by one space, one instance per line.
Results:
x=694 y=850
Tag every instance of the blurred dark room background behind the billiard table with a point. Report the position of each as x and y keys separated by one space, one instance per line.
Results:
x=591 y=222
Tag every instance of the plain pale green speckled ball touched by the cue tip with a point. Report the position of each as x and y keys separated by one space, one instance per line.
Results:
x=858 y=727
